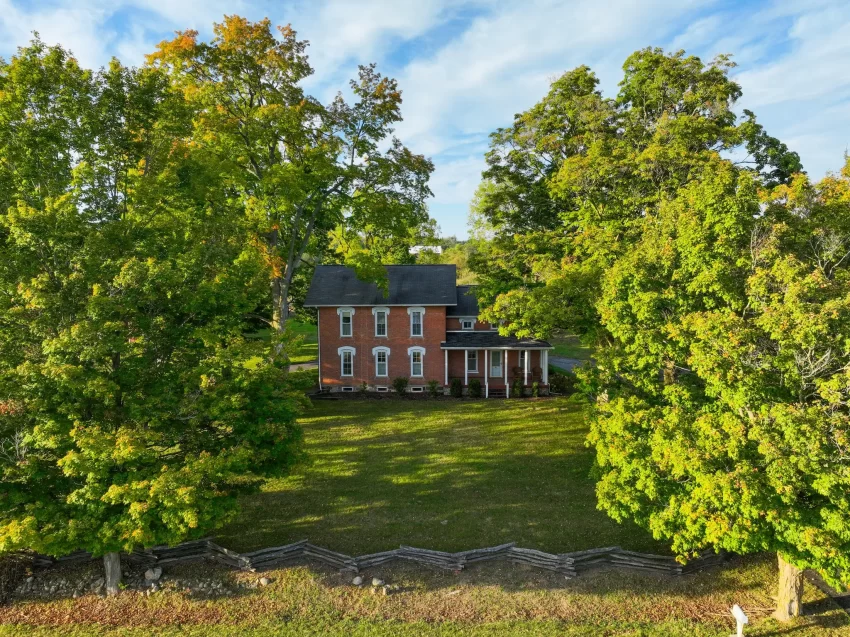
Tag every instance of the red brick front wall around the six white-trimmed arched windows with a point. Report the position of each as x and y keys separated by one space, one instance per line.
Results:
x=363 y=339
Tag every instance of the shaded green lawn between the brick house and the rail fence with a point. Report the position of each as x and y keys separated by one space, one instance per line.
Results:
x=439 y=474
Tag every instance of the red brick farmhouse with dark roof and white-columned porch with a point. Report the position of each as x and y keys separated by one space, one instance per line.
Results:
x=425 y=328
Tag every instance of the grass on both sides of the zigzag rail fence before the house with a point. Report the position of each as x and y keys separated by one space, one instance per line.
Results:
x=448 y=475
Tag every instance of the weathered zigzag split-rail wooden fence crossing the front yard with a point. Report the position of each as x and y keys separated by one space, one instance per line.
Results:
x=568 y=564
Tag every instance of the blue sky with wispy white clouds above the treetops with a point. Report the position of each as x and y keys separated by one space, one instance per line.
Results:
x=466 y=66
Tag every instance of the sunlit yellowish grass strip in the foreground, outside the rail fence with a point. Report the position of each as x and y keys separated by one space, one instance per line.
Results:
x=486 y=600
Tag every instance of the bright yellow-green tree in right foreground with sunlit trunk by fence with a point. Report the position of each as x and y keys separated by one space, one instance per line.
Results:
x=722 y=419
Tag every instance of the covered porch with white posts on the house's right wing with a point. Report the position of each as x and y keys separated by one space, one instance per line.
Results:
x=497 y=362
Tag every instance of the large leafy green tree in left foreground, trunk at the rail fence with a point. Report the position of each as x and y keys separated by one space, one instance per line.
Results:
x=128 y=416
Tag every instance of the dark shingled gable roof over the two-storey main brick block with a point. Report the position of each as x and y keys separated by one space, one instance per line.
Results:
x=335 y=285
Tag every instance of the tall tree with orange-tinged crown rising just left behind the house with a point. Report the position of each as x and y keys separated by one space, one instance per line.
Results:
x=303 y=169
